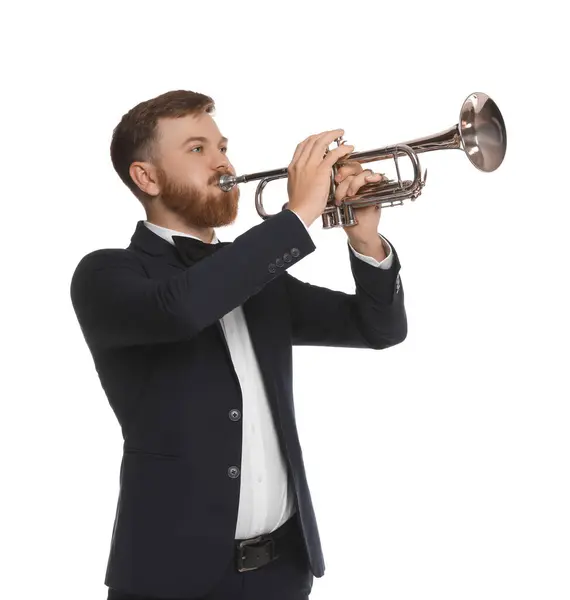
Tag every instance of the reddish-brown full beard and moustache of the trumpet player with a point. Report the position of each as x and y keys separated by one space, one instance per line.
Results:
x=212 y=208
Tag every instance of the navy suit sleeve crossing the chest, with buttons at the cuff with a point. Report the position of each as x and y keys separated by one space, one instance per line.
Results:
x=118 y=305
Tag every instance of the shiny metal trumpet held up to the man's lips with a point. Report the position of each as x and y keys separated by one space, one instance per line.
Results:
x=480 y=133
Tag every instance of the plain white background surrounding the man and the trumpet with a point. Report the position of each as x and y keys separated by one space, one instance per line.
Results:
x=438 y=468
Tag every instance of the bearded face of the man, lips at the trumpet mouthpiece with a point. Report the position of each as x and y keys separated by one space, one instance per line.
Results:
x=189 y=170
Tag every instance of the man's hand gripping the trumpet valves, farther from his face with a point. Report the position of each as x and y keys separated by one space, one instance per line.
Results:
x=350 y=178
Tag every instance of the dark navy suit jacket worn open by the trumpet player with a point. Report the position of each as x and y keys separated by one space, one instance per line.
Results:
x=152 y=326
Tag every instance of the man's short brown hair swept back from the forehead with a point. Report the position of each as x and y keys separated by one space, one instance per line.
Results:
x=134 y=138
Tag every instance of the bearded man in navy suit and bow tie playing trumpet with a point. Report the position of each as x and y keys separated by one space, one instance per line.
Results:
x=192 y=341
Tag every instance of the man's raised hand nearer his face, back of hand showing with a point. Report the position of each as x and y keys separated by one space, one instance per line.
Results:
x=309 y=174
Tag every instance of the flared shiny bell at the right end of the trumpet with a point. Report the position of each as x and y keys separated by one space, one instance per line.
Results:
x=483 y=132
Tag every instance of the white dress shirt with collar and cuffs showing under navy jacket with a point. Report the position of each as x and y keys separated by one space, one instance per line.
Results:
x=266 y=498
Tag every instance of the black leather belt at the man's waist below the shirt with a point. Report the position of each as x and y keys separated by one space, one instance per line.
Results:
x=256 y=552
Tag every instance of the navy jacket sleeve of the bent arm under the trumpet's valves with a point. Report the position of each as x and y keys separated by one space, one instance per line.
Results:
x=373 y=317
